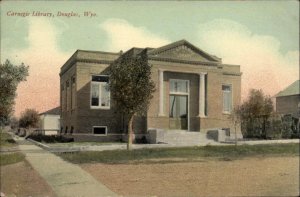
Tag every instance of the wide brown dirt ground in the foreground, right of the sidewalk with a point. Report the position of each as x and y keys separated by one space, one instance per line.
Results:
x=259 y=176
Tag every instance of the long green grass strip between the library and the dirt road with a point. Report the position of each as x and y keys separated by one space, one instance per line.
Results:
x=191 y=153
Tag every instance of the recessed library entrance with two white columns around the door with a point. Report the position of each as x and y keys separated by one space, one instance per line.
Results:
x=177 y=92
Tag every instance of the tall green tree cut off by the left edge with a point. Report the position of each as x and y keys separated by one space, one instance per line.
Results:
x=10 y=77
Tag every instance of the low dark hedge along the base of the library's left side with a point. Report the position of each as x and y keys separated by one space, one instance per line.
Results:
x=50 y=138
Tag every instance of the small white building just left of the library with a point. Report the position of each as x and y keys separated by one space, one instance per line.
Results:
x=50 y=121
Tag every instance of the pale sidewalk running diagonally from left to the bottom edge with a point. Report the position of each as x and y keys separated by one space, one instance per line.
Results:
x=66 y=179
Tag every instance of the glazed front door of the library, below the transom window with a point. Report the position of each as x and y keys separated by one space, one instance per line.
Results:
x=178 y=112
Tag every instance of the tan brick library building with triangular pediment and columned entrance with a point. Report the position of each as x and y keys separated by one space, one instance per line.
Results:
x=194 y=93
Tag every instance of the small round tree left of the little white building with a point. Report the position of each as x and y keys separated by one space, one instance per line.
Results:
x=29 y=118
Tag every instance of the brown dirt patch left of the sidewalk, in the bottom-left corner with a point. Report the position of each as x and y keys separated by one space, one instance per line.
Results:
x=21 y=179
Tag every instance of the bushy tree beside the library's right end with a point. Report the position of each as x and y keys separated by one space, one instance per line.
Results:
x=255 y=112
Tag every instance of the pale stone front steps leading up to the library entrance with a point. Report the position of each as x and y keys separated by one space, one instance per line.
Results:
x=178 y=137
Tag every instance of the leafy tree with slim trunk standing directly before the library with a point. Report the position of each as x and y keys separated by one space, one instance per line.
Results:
x=131 y=87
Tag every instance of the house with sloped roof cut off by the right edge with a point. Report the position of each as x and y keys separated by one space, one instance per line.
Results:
x=288 y=100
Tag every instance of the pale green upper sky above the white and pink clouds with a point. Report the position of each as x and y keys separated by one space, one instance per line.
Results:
x=171 y=20
